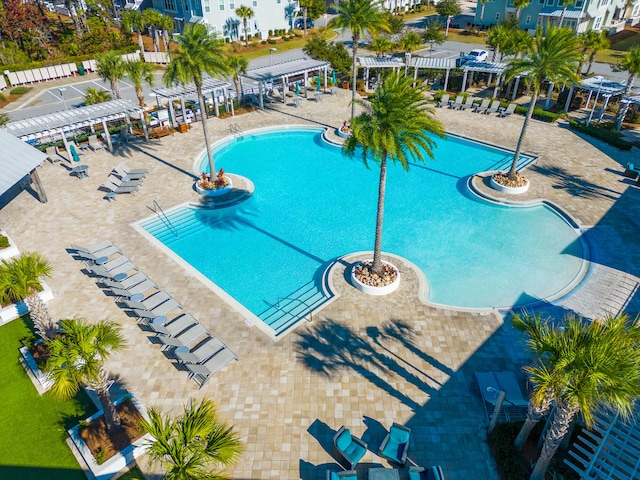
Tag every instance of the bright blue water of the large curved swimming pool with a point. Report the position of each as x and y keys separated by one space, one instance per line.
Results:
x=311 y=204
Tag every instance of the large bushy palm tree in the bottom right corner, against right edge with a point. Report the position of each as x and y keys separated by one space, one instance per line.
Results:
x=580 y=367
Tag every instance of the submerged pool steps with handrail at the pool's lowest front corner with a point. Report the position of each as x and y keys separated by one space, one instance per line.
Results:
x=293 y=308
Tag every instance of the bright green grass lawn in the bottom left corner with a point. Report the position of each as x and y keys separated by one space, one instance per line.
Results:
x=34 y=428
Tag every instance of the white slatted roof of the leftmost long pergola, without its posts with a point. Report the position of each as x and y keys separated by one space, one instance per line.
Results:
x=72 y=118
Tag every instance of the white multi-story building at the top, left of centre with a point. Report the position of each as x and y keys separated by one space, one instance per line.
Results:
x=220 y=17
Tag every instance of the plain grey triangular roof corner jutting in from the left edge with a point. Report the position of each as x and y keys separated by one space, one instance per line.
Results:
x=17 y=160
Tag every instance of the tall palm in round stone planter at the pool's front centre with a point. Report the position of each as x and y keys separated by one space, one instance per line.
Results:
x=395 y=125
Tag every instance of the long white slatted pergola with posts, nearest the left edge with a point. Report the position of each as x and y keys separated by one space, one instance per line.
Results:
x=60 y=123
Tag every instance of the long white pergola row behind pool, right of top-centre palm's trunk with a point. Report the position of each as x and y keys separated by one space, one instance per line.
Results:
x=446 y=64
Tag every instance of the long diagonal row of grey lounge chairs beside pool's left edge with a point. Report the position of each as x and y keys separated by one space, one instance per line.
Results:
x=189 y=342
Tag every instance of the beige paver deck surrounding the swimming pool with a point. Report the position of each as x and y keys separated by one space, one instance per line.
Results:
x=362 y=362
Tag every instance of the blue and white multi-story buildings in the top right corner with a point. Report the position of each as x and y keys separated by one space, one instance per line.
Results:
x=581 y=15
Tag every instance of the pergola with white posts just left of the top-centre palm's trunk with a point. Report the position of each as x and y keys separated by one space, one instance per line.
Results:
x=284 y=71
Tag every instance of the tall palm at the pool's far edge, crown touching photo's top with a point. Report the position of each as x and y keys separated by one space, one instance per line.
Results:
x=359 y=16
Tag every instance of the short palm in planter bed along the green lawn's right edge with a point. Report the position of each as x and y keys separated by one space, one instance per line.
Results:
x=77 y=358
